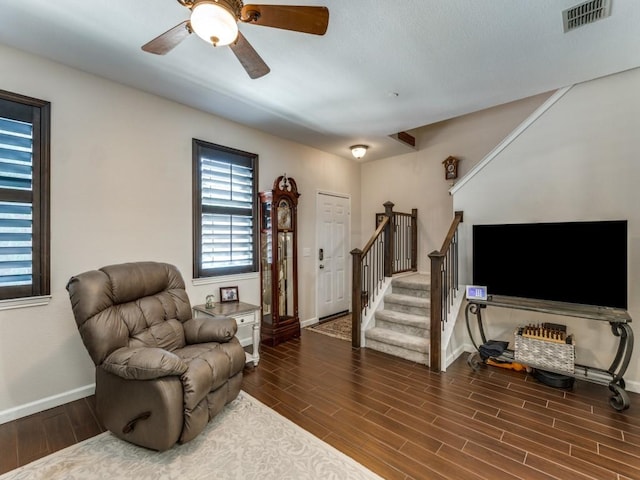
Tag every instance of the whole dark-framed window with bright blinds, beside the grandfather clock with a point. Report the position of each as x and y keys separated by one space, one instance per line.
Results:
x=225 y=218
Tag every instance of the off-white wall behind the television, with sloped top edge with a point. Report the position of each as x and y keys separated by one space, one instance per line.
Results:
x=579 y=161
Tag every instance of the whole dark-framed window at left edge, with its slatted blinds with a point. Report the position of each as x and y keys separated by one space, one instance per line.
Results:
x=24 y=196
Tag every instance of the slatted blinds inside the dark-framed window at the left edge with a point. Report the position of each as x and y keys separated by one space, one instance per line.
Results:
x=16 y=218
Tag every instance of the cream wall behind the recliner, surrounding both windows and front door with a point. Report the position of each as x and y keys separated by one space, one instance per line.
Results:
x=121 y=191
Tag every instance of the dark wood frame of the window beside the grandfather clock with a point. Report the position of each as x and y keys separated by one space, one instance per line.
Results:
x=198 y=148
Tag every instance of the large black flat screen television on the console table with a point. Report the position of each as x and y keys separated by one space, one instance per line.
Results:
x=575 y=262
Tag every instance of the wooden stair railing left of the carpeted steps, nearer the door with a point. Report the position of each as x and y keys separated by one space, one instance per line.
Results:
x=391 y=249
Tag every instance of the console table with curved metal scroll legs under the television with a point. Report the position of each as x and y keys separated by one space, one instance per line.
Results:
x=617 y=318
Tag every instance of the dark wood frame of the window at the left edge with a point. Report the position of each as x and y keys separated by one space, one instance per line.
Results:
x=39 y=198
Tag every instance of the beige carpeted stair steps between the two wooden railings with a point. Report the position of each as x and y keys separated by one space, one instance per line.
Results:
x=402 y=326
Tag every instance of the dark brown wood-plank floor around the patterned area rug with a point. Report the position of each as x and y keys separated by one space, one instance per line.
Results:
x=404 y=422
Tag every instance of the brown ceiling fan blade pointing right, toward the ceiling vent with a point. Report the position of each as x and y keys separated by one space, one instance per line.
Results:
x=299 y=19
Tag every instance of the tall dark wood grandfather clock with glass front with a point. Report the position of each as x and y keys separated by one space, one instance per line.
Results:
x=279 y=262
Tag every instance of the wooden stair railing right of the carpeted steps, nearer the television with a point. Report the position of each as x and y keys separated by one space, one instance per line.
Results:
x=444 y=284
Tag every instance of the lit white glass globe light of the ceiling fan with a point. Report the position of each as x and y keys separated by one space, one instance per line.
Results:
x=214 y=22
